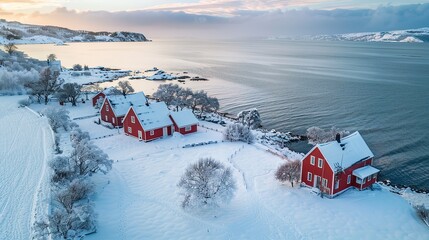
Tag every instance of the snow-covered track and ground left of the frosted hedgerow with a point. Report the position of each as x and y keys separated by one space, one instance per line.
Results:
x=25 y=141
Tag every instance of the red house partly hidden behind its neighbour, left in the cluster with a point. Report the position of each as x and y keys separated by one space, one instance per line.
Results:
x=115 y=107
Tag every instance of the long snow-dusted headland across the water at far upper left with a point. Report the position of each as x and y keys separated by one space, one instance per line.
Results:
x=19 y=33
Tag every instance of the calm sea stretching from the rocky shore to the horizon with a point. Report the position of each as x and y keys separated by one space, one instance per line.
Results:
x=380 y=89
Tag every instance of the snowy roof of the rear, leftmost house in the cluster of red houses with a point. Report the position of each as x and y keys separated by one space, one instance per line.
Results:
x=121 y=104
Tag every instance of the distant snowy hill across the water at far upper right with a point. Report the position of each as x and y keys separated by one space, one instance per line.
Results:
x=412 y=35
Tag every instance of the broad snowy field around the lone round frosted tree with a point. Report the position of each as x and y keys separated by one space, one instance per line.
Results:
x=139 y=198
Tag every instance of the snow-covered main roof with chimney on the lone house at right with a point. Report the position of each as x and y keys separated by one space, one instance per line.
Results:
x=352 y=149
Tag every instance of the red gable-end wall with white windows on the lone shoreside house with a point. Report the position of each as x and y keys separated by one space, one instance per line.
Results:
x=324 y=172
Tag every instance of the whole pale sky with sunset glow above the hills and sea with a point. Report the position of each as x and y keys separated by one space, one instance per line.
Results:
x=222 y=18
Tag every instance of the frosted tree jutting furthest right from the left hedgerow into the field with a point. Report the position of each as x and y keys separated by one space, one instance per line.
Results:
x=88 y=158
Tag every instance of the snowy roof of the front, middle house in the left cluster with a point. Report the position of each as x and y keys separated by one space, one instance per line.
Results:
x=154 y=116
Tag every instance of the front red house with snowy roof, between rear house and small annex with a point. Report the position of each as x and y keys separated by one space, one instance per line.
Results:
x=148 y=122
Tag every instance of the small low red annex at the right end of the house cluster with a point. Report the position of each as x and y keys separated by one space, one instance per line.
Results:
x=184 y=121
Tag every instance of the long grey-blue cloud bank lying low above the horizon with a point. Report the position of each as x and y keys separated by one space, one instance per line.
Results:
x=243 y=23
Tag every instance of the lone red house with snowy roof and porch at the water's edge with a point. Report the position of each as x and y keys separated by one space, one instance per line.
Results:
x=336 y=166
